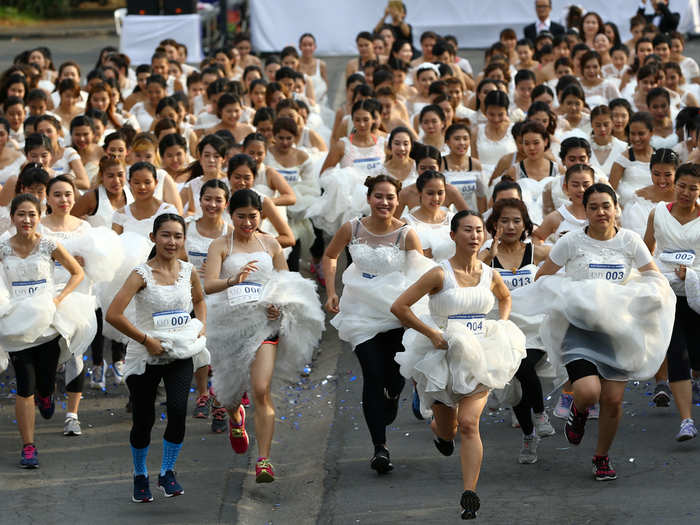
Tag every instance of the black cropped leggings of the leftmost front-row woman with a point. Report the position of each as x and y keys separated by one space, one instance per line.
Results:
x=35 y=368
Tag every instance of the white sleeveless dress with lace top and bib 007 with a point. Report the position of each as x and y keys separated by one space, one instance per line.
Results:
x=163 y=313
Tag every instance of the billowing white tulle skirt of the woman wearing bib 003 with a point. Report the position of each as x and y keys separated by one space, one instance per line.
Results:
x=623 y=329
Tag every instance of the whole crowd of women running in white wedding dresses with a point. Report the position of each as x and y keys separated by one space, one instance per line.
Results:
x=530 y=227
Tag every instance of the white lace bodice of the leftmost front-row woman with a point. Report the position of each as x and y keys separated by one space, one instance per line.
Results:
x=37 y=266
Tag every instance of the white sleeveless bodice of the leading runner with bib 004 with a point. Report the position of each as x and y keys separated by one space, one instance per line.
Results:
x=454 y=299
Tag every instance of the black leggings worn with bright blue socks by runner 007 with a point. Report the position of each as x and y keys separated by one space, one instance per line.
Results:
x=177 y=377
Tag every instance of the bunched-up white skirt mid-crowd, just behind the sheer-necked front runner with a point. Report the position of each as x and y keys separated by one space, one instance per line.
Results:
x=344 y=197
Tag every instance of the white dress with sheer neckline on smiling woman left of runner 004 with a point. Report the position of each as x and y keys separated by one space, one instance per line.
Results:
x=381 y=270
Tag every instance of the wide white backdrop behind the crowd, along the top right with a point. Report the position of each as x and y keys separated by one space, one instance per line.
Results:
x=476 y=23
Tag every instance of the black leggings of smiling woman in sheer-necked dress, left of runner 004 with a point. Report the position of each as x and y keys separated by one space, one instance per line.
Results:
x=379 y=371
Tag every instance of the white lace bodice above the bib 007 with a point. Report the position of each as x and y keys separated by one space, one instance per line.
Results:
x=156 y=298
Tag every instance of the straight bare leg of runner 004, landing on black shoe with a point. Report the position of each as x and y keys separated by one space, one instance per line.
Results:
x=471 y=450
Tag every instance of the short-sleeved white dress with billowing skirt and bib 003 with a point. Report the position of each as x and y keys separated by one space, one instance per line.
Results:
x=602 y=309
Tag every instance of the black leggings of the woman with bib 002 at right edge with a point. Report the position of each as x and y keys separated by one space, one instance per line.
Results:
x=683 y=352
